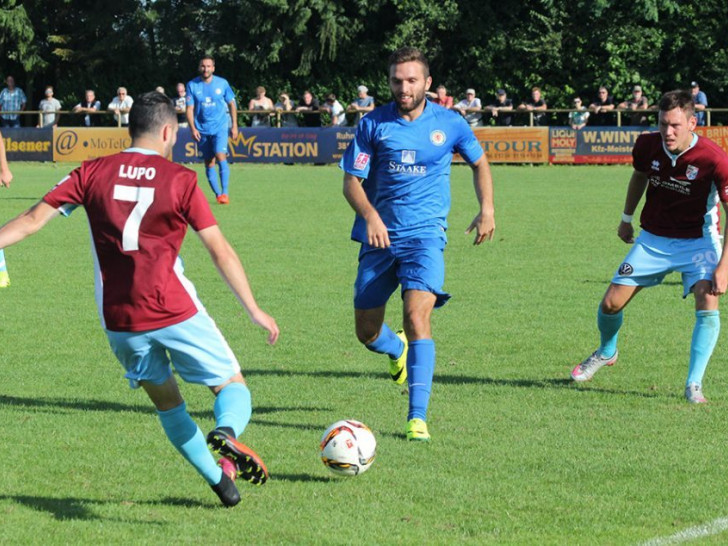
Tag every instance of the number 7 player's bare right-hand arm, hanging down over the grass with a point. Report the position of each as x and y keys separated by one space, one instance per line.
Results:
x=231 y=270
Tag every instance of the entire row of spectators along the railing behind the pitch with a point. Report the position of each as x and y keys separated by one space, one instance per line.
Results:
x=307 y=111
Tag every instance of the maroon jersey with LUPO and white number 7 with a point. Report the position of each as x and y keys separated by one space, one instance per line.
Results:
x=138 y=207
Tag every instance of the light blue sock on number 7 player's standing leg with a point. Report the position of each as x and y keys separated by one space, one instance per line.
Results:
x=187 y=437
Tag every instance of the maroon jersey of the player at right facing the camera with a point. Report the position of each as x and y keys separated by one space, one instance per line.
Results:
x=683 y=191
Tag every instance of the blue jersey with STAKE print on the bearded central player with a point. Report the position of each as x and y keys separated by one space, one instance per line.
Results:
x=406 y=167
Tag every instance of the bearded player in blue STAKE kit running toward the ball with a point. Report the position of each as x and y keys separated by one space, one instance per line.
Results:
x=397 y=180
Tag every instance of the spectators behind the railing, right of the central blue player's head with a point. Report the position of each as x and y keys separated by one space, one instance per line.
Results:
x=599 y=112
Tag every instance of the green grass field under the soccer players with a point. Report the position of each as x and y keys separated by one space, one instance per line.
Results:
x=520 y=455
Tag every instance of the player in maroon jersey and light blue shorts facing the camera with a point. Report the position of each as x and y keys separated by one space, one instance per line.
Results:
x=685 y=177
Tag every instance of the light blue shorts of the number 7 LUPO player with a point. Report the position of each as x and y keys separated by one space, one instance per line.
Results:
x=196 y=347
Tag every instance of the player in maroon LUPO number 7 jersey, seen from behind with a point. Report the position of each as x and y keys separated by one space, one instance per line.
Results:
x=139 y=205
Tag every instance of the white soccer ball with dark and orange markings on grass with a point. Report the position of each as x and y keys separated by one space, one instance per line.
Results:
x=348 y=448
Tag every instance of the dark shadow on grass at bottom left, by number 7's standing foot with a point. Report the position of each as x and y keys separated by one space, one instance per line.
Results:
x=73 y=508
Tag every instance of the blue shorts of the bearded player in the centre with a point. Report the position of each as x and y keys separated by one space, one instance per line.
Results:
x=415 y=264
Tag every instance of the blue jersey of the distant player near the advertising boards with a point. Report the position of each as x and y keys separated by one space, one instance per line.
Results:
x=211 y=103
